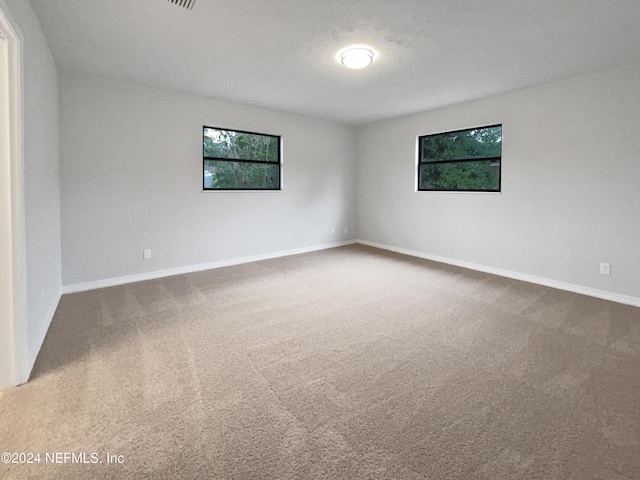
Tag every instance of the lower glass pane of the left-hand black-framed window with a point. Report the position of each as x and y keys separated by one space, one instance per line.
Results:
x=240 y=175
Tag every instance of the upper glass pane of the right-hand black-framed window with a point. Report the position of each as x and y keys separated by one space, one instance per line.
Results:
x=462 y=145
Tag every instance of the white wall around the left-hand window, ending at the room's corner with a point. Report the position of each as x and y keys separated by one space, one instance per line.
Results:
x=132 y=179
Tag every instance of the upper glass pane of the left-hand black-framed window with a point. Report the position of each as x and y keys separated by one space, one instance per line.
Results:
x=220 y=143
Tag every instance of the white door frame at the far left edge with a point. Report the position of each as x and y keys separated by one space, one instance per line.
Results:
x=13 y=338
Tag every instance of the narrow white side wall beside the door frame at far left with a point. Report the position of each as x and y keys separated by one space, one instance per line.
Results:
x=41 y=174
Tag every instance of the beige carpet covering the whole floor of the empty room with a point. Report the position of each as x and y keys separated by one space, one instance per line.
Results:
x=350 y=363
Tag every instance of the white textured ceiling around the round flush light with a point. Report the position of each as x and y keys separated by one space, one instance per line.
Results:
x=279 y=54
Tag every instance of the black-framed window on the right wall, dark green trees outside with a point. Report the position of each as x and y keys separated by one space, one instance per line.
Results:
x=461 y=161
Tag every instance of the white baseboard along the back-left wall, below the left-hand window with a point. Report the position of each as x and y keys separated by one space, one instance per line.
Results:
x=111 y=282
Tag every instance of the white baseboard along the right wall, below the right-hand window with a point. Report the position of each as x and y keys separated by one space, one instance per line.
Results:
x=592 y=292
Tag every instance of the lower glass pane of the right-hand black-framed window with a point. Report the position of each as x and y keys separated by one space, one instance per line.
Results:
x=479 y=175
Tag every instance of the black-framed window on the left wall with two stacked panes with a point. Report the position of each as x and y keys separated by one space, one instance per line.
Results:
x=237 y=160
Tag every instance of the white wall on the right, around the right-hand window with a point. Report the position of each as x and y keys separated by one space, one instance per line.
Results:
x=570 y=184
